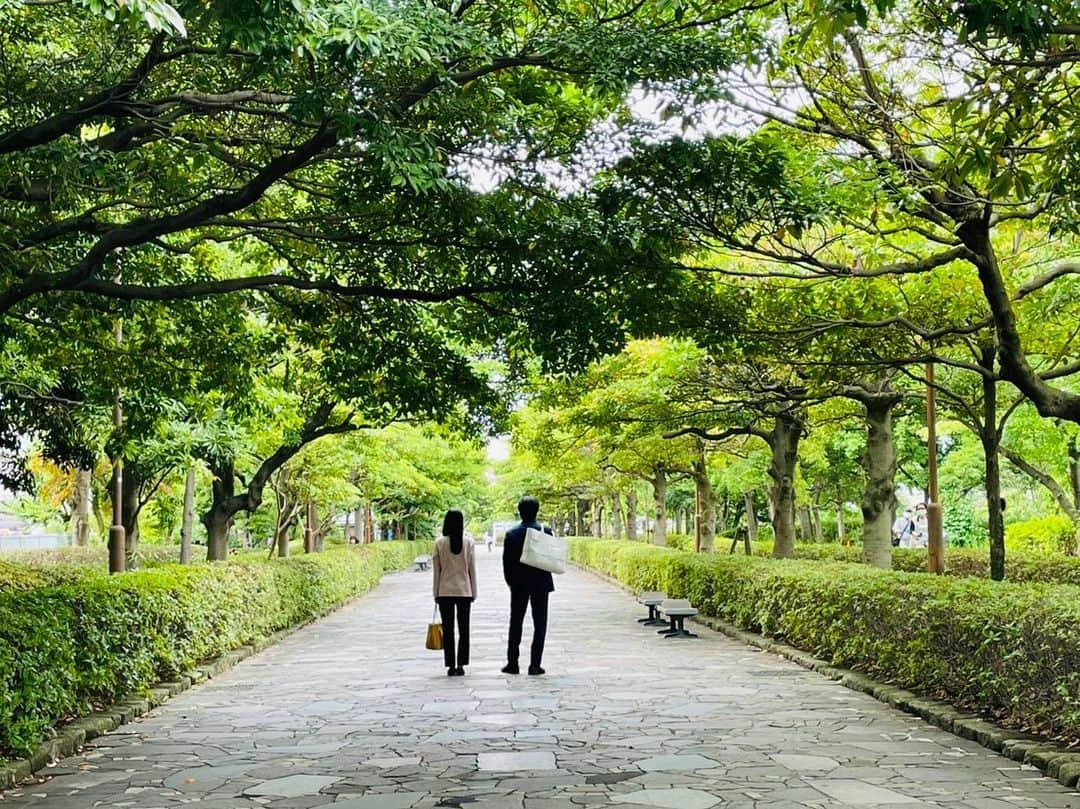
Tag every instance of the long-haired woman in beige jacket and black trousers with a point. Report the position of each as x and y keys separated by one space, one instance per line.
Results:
x=454 y=564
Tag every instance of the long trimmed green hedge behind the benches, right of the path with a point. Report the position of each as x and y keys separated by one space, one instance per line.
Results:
x=1008 y=651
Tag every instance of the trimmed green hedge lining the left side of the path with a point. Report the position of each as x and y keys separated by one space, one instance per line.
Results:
x=69 y=646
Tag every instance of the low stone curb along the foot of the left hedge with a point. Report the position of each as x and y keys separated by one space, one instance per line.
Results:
x=71 y=738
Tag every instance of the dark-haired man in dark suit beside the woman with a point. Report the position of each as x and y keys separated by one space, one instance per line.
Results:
x=529 y=588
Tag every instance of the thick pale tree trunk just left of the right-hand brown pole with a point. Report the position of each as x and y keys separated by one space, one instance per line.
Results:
x=880 y=492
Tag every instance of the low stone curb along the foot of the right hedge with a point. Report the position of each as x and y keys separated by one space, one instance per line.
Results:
x=1057 y=762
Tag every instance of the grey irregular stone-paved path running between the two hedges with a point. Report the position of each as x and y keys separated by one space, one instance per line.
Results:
x=354 y=713
